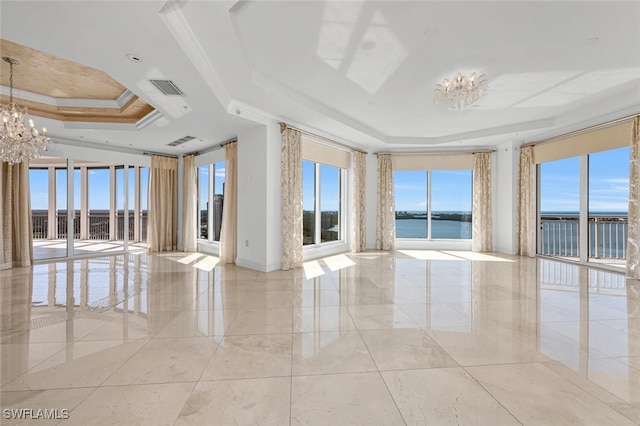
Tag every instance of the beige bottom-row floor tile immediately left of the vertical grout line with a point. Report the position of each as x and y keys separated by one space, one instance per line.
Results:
x=238 y=402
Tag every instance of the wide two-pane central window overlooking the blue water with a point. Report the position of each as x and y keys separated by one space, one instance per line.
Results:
x=433 y=204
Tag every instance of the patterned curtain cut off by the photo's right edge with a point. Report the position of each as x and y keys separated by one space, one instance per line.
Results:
x=633 y=246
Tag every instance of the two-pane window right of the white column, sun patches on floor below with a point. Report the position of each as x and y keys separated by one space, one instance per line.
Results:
x=322 y=192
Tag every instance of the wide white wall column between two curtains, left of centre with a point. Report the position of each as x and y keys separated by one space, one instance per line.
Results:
x=259 y=228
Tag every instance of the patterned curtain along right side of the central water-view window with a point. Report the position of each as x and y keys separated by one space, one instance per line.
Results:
x=481 y=220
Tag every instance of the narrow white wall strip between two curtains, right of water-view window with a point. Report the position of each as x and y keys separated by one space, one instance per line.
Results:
x=505 y=188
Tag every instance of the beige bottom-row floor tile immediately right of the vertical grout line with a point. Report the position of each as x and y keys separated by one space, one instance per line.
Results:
x=342 y=399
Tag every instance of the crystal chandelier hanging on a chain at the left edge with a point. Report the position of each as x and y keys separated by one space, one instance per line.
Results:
x=18 y=143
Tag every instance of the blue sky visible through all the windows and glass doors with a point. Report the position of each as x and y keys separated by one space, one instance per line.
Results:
x=451 y=190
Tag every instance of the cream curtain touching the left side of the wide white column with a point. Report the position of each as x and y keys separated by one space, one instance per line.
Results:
x=229 y=231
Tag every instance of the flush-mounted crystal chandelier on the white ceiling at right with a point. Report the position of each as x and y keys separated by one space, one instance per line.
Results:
x=461 y=92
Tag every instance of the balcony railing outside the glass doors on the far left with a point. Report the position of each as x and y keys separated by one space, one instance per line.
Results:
x=99 y=222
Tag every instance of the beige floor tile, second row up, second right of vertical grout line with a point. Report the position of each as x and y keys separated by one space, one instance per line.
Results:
x=405 y=349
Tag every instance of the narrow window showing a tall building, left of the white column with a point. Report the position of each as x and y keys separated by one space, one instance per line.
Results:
x=210 y=200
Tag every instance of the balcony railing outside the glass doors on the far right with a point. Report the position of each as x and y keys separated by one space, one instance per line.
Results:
x=560 y=235
